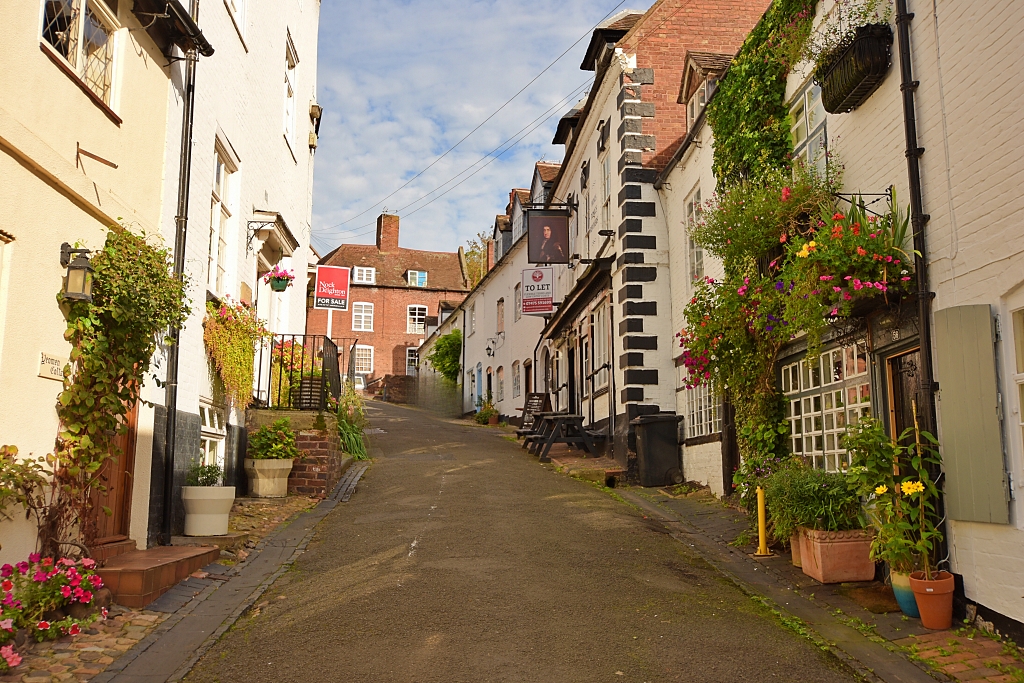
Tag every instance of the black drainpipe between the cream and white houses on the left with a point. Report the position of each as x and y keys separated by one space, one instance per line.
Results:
x=181 y=230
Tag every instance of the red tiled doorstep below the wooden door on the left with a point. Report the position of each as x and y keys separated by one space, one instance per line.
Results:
x=139 y=578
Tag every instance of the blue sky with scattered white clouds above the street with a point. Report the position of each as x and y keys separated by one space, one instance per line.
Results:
x=403 y=81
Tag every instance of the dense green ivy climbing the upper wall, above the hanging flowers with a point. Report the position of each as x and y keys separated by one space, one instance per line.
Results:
x=748 y=112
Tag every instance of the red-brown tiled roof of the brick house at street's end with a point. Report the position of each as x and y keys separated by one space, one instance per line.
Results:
x=444 y=271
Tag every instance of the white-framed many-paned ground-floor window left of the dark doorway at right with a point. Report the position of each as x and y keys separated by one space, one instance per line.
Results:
x=823 y=398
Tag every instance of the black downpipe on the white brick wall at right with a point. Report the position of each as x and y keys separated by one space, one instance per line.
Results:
x=926 y=386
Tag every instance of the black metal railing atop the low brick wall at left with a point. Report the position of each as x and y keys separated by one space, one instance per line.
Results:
x=302 y=372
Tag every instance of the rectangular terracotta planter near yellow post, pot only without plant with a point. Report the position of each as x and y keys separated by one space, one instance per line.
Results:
x=836 y=558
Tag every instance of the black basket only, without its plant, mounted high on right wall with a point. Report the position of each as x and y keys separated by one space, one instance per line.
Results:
x=856 y=69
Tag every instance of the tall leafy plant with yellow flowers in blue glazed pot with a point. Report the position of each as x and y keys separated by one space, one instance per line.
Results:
x=876 y=463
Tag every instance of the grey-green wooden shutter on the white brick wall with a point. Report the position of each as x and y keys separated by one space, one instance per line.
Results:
x=969 y=408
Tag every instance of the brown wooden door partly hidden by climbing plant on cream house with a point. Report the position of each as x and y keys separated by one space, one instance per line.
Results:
x=118 y=478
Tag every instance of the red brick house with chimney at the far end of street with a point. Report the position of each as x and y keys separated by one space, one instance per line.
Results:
x=393 y=293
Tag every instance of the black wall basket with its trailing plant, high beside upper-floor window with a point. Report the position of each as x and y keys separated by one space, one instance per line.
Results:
x=851 y=53
